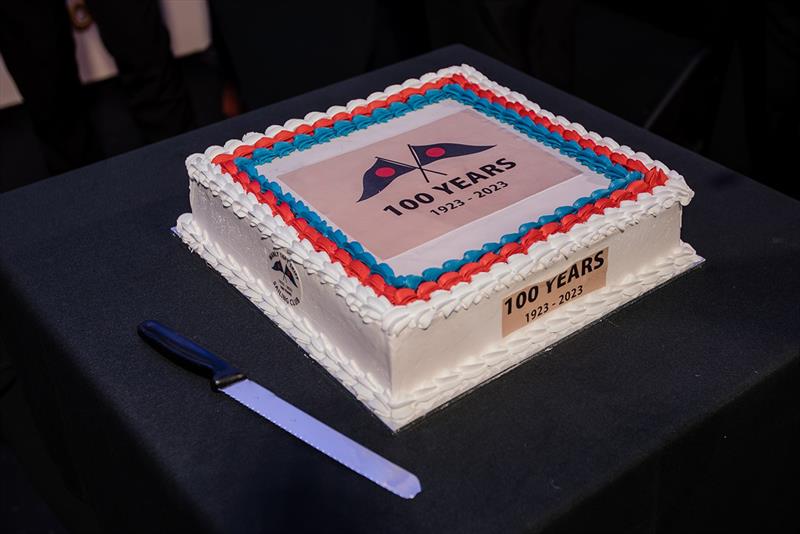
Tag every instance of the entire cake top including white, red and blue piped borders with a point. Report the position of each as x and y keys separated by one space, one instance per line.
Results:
x=432 y=191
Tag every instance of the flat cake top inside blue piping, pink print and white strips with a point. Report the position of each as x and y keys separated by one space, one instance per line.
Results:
x=426 y=187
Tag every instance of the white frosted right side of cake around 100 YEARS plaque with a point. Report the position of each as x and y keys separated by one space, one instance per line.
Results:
x=445 y=358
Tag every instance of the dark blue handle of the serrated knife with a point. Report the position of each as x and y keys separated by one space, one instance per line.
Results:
x=189 y=354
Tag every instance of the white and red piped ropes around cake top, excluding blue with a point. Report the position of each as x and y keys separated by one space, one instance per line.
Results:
x=547 y=245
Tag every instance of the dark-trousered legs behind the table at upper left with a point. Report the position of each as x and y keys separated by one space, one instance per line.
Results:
x=37 y=46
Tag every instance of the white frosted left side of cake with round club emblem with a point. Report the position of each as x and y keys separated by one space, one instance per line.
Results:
x=357 y=353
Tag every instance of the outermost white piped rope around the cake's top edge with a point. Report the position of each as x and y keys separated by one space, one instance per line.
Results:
x=455 y=294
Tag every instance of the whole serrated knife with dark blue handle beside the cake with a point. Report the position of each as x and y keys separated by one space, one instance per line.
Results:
x=229 y=380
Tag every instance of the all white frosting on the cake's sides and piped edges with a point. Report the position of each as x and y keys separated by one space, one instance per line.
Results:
x=404 y=361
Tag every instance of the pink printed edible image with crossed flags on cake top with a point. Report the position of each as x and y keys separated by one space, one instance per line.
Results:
x=406 y=190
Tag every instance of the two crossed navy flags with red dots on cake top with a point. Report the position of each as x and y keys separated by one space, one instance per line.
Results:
x=384 y=171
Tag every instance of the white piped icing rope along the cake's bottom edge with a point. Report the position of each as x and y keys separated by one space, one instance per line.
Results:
x=398 y=412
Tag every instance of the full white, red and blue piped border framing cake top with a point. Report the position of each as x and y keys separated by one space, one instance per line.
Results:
x=397 y=308
